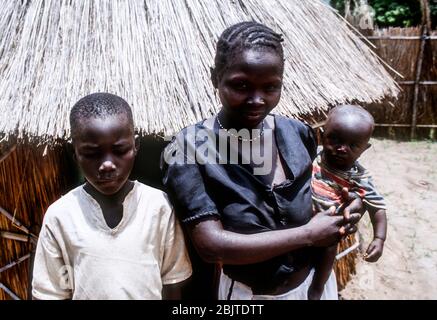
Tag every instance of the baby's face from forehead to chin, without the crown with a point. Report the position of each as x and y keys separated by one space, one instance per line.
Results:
x=344 y=141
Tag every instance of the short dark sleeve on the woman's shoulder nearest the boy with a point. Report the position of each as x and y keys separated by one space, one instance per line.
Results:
x=184 y=182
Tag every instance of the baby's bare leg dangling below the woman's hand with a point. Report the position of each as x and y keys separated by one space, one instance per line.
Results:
x=322 y=272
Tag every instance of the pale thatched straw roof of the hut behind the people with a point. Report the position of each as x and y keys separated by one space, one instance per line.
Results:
x=157 y=54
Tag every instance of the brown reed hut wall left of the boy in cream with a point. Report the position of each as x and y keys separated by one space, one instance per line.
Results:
x=29 y=182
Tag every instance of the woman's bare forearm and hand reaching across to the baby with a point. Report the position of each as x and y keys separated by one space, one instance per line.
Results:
x=216 y=245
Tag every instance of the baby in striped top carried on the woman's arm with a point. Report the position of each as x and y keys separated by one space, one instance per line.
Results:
x=346 y=136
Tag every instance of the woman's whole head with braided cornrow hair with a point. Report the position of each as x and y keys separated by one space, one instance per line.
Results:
x=248 y=71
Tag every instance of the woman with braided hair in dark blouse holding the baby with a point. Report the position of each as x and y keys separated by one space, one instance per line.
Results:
x=240 y=181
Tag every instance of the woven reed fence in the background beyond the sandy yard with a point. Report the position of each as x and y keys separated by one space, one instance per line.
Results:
x=402 y=52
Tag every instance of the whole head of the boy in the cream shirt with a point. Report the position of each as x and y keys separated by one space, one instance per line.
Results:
x=102 y=132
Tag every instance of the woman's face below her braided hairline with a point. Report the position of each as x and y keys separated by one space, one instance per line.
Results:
x=251 y=87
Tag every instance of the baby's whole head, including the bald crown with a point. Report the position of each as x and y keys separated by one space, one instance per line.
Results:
x=346 y=135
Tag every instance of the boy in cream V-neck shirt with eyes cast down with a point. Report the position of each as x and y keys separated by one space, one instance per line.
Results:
x=110 y=238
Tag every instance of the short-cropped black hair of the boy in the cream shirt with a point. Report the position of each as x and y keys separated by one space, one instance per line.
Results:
x=98 y=105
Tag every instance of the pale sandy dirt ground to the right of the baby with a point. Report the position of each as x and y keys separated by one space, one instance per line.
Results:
x=406 y=174
